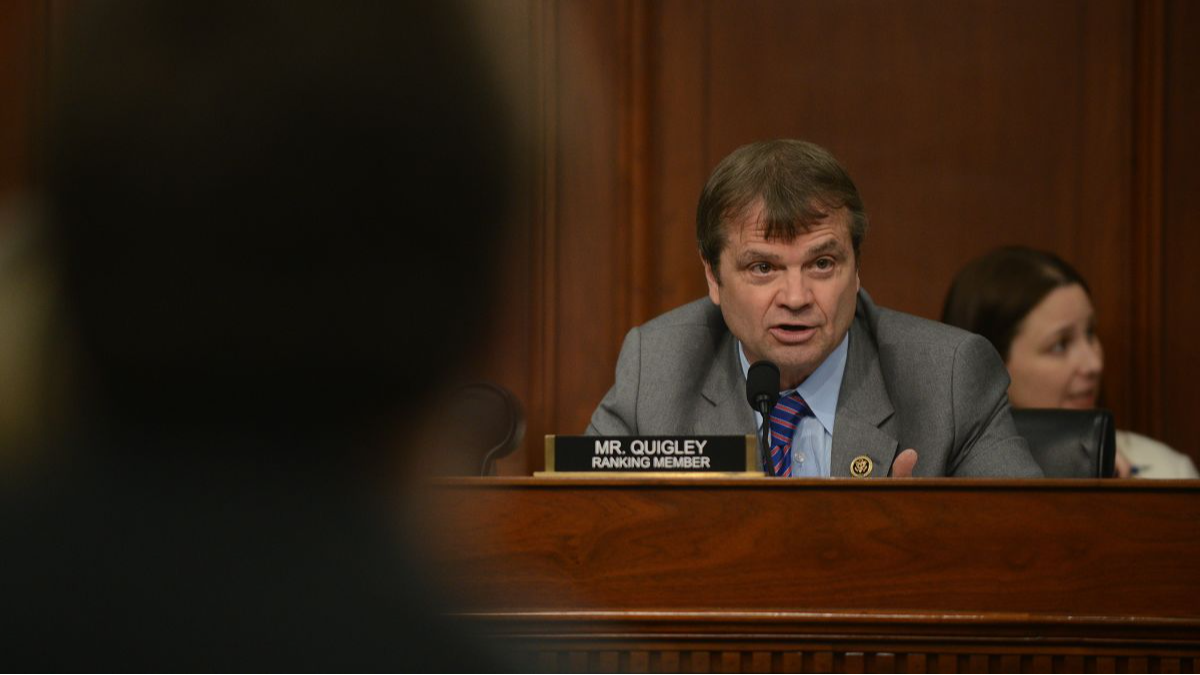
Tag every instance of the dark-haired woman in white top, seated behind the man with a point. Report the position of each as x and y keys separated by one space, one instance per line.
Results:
x=1037 y=312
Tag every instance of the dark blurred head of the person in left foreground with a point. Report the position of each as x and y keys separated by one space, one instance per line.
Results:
x=278 y=218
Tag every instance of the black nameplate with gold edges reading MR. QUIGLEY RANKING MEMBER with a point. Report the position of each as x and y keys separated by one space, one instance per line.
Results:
x=716 y=456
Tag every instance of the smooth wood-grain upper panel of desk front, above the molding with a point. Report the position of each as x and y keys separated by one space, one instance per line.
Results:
x=1049 y=548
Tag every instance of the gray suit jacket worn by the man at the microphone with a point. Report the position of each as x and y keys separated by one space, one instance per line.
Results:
x=909 y=384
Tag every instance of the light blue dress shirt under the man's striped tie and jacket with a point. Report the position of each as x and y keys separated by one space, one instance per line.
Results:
x=813 y=439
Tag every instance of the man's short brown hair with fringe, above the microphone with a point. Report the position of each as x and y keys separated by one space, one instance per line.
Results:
x=799 y=183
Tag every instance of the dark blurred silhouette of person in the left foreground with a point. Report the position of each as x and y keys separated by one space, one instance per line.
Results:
x=277 y=225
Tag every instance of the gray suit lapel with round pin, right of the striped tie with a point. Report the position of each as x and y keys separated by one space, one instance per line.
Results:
x=863 y=407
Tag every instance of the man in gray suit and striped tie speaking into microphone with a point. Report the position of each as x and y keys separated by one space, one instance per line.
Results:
x=781 y=228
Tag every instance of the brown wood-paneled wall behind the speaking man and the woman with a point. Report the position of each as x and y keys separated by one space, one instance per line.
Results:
x=967 y=126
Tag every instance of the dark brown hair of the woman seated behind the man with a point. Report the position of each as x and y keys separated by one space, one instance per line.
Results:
x=995 y=292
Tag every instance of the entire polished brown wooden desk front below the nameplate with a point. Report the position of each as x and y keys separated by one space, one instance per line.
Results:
x=831 y=576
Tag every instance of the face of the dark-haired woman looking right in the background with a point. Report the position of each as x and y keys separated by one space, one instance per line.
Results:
x=1055 y=360
